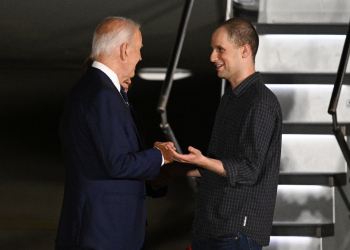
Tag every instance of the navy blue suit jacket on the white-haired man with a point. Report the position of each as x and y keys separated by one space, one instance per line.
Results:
x=104 y=199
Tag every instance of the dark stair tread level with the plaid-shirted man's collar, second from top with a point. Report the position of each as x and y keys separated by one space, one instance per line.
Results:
x=302 y=78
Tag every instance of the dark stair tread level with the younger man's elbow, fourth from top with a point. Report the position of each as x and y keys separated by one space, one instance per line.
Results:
x=323 y=179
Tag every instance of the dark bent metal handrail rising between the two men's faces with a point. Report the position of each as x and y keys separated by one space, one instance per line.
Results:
x=165 y=92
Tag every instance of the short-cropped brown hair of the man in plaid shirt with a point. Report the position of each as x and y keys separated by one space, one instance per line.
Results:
x=241 y=32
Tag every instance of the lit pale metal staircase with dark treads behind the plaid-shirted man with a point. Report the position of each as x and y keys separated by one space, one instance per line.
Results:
x=298 y=58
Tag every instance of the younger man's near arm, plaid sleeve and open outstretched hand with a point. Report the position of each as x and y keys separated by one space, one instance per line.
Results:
x=258 y=127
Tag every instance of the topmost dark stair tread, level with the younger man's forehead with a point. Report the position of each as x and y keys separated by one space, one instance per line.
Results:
x=302 y=29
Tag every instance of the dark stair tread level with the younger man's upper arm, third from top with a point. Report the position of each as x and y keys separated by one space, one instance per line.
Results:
x=313 y=128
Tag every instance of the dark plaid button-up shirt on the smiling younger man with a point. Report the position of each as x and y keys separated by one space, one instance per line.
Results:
x=246 y=138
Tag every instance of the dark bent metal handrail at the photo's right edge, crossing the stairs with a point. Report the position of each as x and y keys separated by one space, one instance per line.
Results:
x=332 y=109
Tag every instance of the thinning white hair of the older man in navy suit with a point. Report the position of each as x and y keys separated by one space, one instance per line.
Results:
x=106 y=42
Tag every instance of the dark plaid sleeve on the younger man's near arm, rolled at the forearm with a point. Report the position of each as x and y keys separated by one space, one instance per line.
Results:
x=253 y=143
